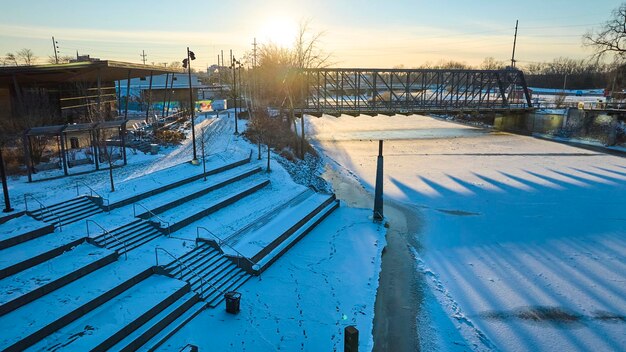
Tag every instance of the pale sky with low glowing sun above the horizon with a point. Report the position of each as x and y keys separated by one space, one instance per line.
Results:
x=365 y=33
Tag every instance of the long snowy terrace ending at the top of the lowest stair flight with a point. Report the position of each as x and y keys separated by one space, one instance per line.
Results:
x=34 y=321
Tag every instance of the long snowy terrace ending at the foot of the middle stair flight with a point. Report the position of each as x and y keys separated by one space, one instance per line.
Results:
x=30 y=284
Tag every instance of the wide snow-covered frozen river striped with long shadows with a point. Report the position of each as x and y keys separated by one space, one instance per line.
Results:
x=522 y=243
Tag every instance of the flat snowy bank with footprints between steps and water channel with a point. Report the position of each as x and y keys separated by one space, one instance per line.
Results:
x=304 y=301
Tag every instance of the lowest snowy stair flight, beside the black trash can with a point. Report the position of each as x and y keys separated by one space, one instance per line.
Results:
x=209 y=273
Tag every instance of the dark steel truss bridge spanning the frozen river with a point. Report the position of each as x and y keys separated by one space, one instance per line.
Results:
x=404 y=91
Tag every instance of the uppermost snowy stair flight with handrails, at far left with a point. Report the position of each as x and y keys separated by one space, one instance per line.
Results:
x=67 y=212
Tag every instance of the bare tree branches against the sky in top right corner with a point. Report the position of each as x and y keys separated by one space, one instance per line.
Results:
x=611 y=37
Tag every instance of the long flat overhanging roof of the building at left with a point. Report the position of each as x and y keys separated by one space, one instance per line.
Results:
x=79 y=72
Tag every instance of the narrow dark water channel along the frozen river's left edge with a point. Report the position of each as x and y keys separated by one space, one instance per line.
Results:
x=399 y=293
